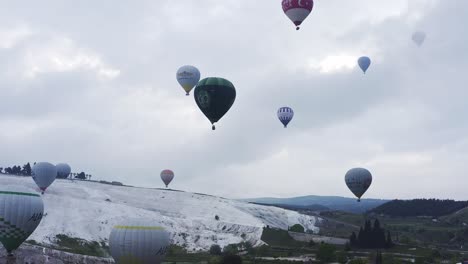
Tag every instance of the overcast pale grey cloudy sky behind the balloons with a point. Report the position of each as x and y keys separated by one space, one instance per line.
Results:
x=92 y=83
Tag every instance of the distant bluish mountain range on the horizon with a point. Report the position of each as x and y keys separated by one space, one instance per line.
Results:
x=321 y=203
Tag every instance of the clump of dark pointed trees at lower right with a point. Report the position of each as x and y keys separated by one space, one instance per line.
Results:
x=371 y=237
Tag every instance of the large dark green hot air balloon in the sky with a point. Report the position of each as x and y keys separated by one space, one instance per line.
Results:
x=214 y=96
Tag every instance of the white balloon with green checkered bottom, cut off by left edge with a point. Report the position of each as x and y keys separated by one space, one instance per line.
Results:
x=21 y=212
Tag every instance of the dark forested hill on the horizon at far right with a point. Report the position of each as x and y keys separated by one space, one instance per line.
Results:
x=420 y=207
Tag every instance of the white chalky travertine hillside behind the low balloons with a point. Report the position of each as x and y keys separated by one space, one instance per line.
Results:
x=88 y=210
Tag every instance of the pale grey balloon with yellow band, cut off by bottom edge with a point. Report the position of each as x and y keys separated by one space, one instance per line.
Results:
x=141 y=243
